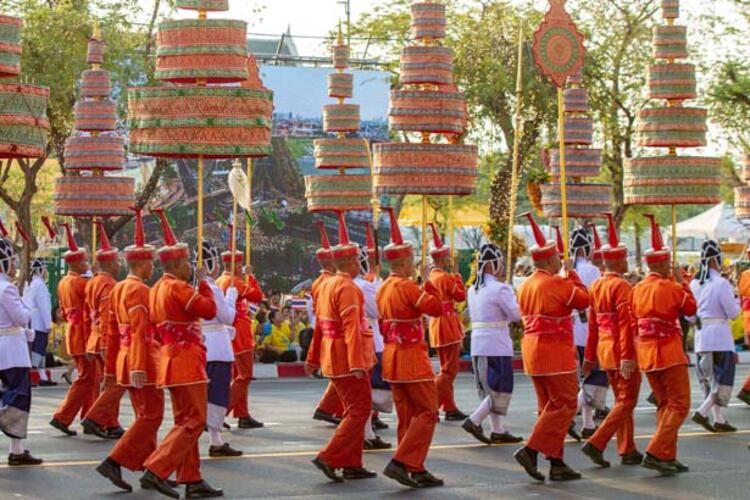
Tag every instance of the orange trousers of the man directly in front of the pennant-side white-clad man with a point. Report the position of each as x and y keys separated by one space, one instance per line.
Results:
x=179 y=449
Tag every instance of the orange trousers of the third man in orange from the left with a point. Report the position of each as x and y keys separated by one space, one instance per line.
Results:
x=139 y=441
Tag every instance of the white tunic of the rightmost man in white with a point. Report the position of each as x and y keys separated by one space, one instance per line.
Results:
x=717 y=305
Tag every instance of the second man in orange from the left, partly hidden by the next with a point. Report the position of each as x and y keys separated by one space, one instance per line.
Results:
x=101 y=420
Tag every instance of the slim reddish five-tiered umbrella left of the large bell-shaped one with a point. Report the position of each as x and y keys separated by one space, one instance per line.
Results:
x=93 y=149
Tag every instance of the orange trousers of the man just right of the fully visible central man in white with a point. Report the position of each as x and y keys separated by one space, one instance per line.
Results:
x=557 y=399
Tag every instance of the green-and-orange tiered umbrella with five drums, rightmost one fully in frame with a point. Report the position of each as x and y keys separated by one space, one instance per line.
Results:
x=671 y=179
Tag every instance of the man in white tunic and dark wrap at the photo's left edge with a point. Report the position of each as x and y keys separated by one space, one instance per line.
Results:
x=15 y=365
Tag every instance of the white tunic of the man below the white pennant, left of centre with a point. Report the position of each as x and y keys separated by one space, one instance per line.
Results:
x=218 y=332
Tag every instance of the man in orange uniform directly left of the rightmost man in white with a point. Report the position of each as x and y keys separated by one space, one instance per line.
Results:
x=658 y=302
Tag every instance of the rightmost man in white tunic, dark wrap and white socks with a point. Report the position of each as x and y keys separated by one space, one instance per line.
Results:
x=714 y=344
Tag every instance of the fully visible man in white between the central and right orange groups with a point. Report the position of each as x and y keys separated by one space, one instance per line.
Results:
x=492 y=307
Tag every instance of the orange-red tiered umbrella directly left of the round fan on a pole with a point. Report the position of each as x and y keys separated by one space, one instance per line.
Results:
x=429 y=104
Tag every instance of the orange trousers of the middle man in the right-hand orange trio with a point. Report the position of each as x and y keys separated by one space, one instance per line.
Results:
x=620 y=418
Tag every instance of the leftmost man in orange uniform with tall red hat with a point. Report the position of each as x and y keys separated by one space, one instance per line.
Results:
x=71 y=296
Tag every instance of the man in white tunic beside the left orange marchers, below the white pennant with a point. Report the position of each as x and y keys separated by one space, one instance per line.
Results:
x=217 y=336
